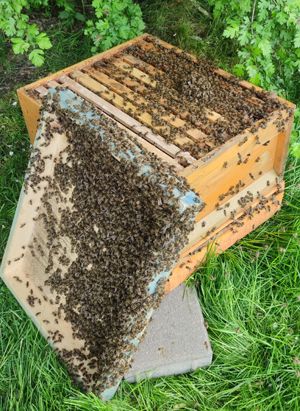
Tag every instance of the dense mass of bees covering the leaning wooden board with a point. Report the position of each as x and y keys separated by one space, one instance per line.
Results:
x=122 y=227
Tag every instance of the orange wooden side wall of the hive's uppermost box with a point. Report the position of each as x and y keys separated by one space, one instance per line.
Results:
x=242 y=160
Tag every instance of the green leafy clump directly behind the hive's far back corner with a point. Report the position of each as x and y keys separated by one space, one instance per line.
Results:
x=116 y=21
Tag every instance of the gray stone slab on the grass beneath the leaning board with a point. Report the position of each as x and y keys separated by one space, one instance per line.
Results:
x=176 y=341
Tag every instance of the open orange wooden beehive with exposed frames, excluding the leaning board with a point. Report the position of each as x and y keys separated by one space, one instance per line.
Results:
x=228 y=138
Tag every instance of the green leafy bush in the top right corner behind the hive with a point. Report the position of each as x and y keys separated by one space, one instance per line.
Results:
x=267 y=33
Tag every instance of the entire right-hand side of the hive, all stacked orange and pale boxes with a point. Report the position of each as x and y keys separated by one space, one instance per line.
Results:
x=212 y=180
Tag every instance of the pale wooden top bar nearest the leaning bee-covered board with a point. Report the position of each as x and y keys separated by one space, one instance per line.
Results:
x=123 y=118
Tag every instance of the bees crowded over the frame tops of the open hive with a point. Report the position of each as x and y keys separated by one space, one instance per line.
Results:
x=188 y=89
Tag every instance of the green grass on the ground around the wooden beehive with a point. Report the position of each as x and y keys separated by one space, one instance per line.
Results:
x=250 y=295
